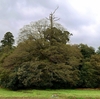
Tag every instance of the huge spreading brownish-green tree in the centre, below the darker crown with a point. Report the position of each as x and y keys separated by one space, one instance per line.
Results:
x=40 y=65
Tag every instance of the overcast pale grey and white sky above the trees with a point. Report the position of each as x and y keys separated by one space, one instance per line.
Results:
x=80 y=17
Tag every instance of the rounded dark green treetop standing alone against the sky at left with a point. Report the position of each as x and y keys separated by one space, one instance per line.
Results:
x=8 y=40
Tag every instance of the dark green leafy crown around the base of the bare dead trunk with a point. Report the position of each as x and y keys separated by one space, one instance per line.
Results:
x=56 y=35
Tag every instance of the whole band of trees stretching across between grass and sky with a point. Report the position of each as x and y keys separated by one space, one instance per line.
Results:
x=44 y=59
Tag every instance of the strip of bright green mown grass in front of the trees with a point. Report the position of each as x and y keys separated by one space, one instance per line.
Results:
x=50 y=94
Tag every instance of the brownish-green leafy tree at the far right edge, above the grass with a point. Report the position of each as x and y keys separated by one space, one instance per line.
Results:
x=89 y=72
